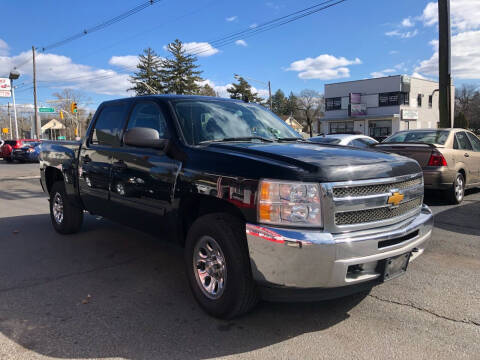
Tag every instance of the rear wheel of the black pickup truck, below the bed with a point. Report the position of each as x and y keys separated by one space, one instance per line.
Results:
x=72 y=217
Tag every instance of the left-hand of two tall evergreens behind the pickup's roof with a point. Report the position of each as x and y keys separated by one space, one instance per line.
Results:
x=146 y=80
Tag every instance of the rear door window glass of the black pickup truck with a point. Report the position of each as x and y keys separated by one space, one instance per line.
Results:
x=109 y=125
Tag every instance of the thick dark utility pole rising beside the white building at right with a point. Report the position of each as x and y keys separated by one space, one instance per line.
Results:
x=445 y=98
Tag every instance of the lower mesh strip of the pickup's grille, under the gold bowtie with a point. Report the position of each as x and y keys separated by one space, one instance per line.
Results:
x=376 y=214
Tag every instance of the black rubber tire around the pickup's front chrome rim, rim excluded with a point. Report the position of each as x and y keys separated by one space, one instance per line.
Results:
x=239 y=294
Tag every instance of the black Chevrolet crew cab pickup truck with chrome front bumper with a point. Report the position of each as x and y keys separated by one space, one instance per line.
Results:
x=260 y=212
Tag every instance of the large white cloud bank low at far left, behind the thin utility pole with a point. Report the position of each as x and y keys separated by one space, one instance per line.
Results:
x=60 y=71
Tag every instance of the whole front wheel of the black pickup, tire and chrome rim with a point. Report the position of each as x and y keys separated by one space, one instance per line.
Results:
x=218 y=266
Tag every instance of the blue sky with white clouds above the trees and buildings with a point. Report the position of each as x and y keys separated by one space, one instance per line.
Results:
x=354 y=40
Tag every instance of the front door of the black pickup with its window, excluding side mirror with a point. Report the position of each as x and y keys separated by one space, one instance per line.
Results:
x=143 y=179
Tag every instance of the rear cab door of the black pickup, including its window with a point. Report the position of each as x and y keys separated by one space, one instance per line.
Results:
x=95 y=159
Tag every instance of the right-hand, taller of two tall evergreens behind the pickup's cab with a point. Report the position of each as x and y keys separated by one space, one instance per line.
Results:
x=179 y=73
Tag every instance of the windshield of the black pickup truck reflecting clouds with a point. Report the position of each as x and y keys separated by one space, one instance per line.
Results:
x=205 y=121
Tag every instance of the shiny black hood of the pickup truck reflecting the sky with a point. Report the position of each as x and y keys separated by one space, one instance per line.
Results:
x=325 y=163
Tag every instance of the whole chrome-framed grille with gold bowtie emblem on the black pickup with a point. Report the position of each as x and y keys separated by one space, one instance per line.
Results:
x=363 y=204
